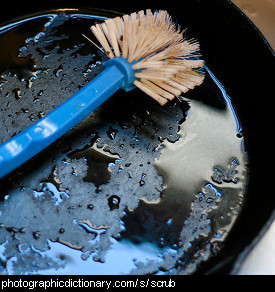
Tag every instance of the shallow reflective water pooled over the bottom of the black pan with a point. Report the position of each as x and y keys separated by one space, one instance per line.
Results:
x=134 y=188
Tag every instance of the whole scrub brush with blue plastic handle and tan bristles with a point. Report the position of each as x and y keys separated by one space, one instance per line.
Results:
x=146 y=50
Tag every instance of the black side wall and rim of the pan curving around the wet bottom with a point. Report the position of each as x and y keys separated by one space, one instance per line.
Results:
x=240 y=57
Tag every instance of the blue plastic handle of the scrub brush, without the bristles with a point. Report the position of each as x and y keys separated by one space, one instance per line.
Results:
x=118 y=73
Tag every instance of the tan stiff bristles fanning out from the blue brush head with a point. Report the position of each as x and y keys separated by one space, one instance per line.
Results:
x=165 y=63
